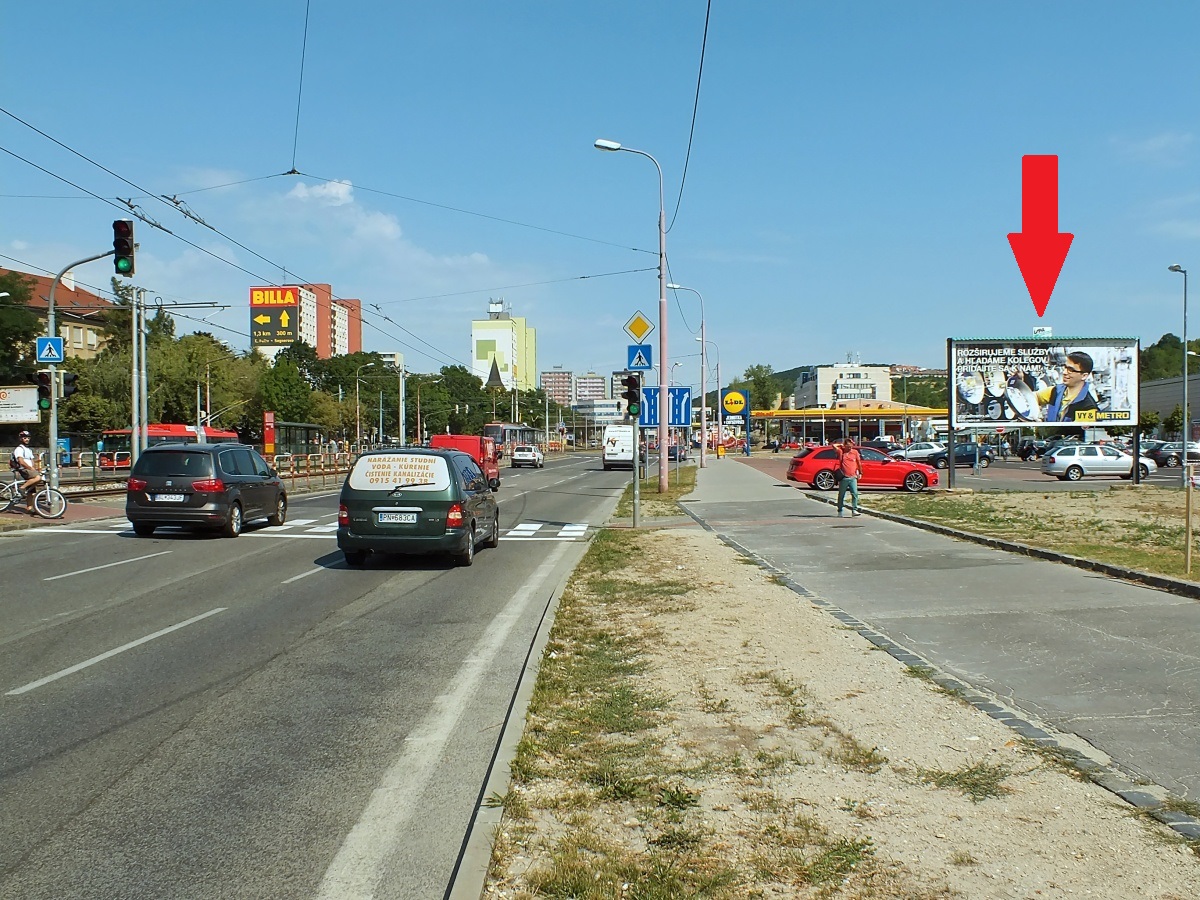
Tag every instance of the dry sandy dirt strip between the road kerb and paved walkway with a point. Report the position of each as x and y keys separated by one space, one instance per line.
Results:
x=831 y=737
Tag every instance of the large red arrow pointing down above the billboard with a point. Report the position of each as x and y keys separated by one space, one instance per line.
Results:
x=1040 y=248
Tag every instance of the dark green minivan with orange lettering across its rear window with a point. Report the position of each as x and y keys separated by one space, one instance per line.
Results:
x=417 y=501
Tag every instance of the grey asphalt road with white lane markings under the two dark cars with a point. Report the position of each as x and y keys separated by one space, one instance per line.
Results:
x=195 y=717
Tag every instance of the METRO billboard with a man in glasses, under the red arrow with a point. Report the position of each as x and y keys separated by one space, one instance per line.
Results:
x=1067 y=383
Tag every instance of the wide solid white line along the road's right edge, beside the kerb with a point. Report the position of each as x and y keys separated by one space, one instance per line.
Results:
x=358 y=868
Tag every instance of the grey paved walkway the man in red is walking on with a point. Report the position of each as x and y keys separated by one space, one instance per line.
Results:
x=1100 y=667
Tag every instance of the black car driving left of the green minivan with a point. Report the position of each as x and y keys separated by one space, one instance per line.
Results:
x=213 y=487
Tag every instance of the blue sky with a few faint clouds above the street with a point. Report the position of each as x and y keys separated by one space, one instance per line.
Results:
x=853 y=179
